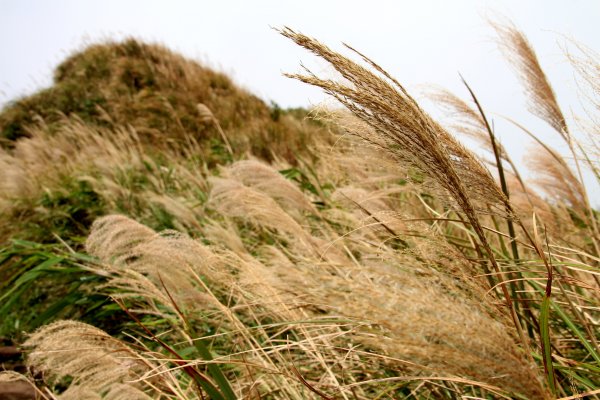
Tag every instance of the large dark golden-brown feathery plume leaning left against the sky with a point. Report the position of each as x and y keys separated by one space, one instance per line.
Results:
x=404 y=131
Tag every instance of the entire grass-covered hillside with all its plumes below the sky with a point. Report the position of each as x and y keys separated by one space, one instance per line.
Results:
x=171 y=236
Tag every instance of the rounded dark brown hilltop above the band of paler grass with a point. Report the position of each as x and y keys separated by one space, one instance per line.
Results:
x=163 y=96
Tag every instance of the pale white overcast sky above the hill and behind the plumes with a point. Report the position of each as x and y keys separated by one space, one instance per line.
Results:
x=419 y=42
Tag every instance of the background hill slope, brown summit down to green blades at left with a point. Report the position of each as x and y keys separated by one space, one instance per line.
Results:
x=121 y=121
